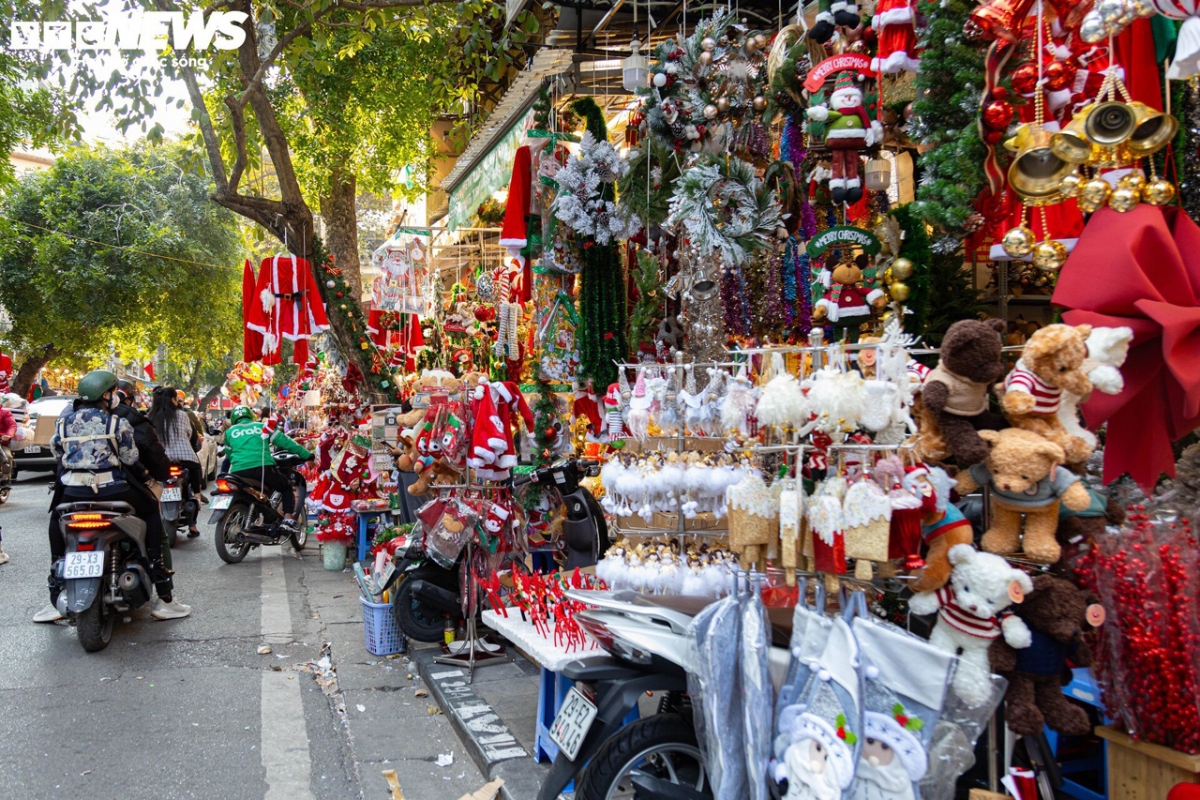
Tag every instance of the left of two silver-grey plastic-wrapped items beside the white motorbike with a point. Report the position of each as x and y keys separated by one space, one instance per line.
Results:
x=716 y=642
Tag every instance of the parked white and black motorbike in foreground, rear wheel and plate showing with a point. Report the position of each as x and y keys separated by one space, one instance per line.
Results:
x=655 y=757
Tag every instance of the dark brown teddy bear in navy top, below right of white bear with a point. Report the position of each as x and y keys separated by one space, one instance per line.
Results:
x=1057 y=613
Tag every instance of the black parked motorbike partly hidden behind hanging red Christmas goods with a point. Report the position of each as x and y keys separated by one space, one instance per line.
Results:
x=430 y=596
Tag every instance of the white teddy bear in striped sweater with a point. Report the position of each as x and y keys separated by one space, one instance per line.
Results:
x=970 y=616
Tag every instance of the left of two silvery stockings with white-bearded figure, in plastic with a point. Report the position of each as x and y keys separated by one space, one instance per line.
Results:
x=824 y=730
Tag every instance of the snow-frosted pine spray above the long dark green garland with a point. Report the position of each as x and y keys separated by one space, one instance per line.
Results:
x=583 y=203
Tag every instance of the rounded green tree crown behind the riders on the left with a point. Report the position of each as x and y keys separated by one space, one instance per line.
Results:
x=119 y=248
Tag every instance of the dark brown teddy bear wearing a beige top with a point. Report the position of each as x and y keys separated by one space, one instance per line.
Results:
x=956 y=392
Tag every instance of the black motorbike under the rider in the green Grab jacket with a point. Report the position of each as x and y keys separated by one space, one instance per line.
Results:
x=247 y=518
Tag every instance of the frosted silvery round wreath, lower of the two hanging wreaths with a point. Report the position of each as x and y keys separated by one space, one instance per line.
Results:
x=725 y=210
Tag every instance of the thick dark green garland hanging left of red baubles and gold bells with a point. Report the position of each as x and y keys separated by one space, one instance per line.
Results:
x=946 y=110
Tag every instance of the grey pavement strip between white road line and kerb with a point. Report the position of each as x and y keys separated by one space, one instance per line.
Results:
x=398 y=729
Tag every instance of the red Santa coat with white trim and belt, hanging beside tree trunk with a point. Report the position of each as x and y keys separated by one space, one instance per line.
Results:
x=289 y=304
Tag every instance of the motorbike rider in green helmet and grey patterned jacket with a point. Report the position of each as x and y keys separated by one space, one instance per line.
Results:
x=97 y=452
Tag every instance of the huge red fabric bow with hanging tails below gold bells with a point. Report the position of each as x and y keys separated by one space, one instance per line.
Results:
x=1142 y=269
